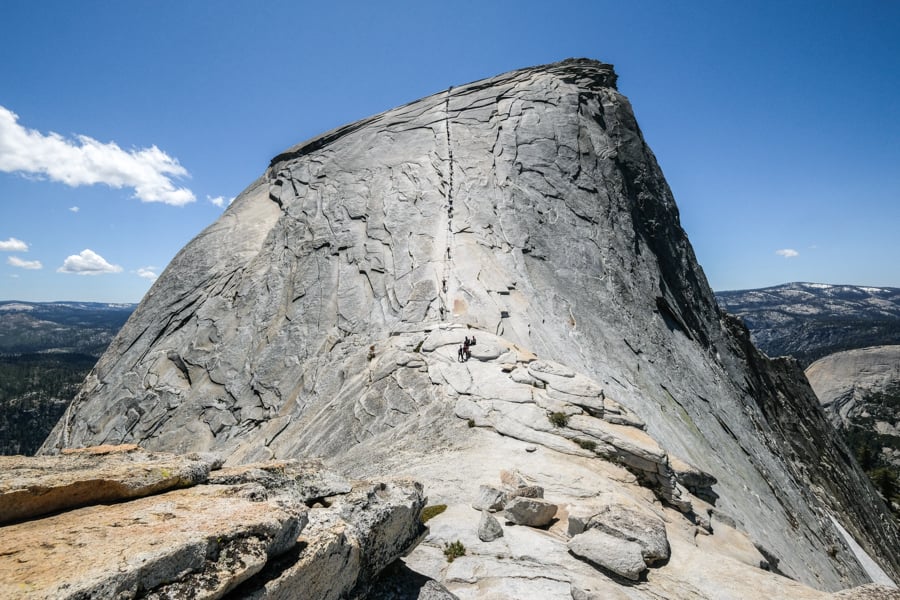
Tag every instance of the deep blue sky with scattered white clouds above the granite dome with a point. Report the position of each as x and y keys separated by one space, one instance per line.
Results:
x=777 y=124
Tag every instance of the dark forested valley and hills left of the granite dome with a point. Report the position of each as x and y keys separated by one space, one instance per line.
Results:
x=46 y=349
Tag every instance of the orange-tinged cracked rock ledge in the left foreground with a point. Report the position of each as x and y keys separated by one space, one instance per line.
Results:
x=120 y=522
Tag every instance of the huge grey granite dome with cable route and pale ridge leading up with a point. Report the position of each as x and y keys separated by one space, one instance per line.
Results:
x=324 y=314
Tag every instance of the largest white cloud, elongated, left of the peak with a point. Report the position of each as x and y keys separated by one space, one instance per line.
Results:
x=85 y=161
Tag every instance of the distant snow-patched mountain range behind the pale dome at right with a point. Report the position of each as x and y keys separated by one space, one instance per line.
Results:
x=812 y=320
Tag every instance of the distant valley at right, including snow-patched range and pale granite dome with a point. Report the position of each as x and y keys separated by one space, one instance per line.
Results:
x=848 y=339
